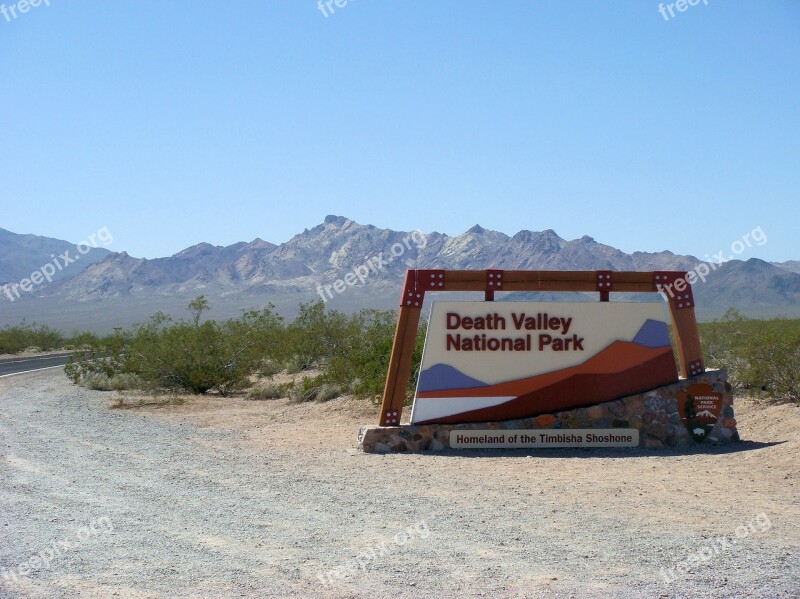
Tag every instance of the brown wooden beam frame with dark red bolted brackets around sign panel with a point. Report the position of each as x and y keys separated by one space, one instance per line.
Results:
x=418 y=282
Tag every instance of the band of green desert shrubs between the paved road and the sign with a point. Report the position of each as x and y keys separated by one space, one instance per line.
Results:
x=351 y=353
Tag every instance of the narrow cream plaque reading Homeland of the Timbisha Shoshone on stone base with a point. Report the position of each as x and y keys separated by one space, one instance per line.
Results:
x=543 y=438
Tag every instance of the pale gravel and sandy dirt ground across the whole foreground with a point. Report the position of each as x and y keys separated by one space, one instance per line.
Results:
x=233 y=498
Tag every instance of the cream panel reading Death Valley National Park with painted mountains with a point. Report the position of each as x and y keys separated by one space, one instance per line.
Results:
x=490 y=361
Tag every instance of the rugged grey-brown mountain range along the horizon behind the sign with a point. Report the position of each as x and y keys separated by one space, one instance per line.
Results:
x=107 y=289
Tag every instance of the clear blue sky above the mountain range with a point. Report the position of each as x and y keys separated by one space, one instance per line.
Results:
x=173 y=123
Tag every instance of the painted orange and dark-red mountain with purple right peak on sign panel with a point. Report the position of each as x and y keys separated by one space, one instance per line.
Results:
x=623 y=368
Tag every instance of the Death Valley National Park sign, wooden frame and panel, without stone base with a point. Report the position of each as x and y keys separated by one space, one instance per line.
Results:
x=501 y=361
